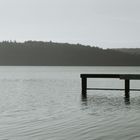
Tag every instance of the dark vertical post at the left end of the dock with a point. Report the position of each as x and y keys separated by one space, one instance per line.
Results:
x=84 y=87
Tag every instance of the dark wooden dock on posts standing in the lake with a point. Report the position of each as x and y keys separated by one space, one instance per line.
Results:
x=125 y=77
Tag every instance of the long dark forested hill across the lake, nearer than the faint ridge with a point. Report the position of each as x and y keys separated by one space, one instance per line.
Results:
x=38 y=53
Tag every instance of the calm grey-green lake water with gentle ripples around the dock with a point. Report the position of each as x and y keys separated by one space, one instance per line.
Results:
x=44 y=103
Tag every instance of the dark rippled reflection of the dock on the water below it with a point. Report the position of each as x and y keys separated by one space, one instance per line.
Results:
x=111 y=101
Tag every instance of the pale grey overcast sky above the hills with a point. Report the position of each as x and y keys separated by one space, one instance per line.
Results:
x=103 y=23
